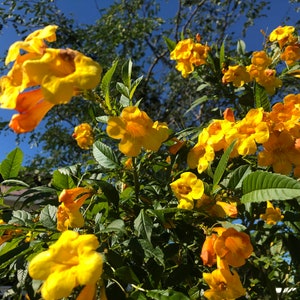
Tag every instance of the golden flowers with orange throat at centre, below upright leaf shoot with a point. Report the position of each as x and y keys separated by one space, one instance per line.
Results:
x=136 y=130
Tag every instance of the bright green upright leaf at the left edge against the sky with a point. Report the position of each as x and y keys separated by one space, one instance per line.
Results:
x=11 y=165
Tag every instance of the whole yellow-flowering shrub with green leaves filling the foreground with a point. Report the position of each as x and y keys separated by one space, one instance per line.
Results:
x=209 y=212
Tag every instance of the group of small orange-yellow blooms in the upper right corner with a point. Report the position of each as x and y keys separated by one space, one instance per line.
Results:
x=260 y=70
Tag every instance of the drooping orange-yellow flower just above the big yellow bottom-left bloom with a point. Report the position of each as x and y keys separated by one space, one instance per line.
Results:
x=68 y=214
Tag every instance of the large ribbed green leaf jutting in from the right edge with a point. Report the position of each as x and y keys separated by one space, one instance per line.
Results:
x=261 y=186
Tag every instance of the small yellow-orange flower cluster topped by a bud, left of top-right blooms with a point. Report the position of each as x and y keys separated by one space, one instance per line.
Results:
x=189 y=54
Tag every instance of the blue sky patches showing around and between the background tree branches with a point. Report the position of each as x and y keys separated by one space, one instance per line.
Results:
x=85 y=11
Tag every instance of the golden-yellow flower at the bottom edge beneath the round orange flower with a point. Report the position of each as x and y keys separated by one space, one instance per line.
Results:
x=224 y=284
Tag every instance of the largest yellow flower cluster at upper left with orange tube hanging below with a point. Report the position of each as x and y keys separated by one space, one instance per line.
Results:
x=43 y=77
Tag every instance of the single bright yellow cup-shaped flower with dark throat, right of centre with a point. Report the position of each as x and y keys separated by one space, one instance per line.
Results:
x=187 y=188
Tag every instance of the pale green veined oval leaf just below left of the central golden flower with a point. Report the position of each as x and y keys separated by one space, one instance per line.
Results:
x=105 y=156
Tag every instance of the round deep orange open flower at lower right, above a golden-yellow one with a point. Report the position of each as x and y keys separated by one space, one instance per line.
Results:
x=233 y=246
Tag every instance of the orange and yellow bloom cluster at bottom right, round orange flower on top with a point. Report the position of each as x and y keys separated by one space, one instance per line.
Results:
x=227 y=248
